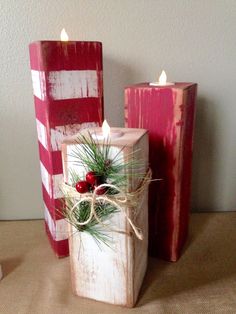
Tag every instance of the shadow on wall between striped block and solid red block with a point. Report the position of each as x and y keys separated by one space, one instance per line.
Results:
x=117 y=75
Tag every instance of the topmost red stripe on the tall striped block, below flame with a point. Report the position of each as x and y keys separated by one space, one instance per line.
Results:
x=72 y=55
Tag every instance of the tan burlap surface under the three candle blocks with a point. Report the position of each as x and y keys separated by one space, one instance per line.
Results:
x=202 y=281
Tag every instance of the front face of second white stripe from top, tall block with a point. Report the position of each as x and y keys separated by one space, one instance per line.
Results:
x=61 y=132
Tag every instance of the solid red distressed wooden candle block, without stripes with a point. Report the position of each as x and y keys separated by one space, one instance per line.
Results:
x=168 y=113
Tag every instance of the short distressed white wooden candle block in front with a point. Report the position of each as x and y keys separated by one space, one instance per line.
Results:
x=112 y=274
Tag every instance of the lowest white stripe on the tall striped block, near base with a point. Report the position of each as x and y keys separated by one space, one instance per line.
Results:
x=58 y=228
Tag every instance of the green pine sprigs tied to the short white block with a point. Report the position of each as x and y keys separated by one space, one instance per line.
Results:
x=112 y=170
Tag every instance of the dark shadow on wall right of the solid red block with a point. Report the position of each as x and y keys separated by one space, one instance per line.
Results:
x=204 y=154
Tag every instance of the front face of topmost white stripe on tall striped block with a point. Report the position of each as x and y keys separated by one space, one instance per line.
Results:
x=73 y=84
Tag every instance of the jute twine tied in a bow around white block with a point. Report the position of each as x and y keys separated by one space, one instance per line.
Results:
x=121 y=200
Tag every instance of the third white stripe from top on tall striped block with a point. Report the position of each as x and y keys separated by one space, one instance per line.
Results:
x=54 y=189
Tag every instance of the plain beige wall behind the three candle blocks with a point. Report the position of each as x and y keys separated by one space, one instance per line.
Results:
x=192 y=40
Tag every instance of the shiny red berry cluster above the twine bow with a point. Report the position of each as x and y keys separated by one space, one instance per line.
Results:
x=92 y=180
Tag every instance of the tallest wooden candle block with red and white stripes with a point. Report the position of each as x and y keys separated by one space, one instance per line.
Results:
x=68 y=96
